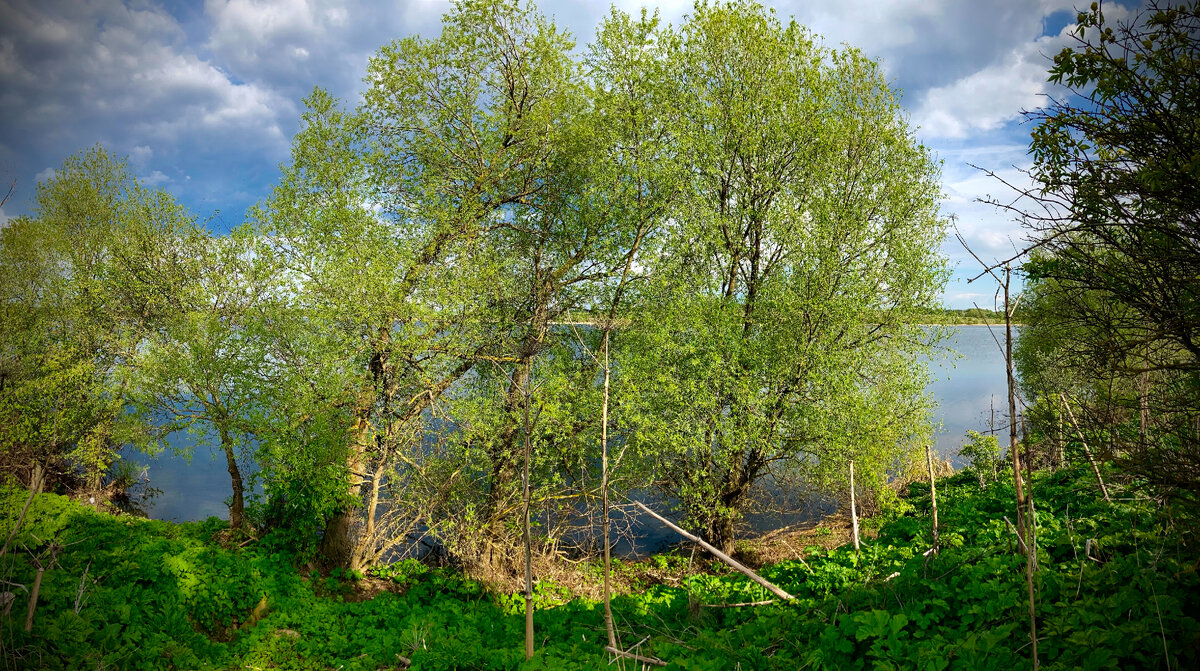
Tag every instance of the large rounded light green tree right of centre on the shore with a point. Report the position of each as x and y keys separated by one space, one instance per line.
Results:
x=779 y=332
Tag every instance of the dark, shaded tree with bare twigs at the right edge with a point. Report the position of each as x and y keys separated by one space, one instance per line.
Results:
x=1115 y=226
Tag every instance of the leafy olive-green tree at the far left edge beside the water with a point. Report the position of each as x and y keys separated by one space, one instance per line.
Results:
x=95 y=269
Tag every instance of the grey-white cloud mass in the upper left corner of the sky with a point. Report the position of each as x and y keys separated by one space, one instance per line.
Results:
x=76 y=74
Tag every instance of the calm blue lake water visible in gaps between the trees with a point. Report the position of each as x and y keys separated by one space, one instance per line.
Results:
x=964 y=384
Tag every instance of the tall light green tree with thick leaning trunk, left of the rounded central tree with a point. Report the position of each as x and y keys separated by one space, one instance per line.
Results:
x=381 y=220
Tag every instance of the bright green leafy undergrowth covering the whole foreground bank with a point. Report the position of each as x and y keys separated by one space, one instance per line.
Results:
x=1117 y=590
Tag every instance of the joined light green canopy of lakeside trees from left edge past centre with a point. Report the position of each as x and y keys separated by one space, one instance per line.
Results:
x=411 y=325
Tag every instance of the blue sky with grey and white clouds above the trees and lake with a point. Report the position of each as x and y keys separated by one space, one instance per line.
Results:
x=205 y=97
